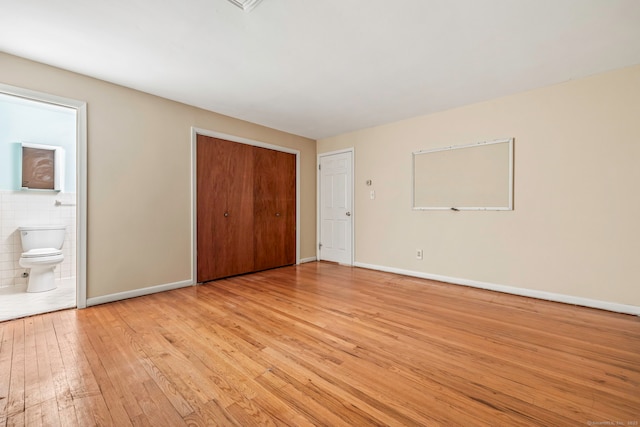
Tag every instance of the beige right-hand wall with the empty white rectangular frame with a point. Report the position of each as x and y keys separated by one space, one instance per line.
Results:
x=575 y=229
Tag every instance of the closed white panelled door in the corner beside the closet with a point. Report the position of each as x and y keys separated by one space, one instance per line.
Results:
x=336 y=208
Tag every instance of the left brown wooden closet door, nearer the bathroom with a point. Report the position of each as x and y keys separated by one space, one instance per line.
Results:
x=224 y=208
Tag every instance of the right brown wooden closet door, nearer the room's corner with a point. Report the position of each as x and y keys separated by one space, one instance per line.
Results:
x=274 y=208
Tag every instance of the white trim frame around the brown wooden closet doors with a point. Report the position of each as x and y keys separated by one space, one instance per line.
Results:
x=194 y=188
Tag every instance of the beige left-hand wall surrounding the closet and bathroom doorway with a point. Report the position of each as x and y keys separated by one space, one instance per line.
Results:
x=139 y=176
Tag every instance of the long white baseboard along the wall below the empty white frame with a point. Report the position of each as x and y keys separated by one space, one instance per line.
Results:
x=532 y=293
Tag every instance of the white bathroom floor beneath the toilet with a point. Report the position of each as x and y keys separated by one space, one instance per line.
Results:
x=15 y=302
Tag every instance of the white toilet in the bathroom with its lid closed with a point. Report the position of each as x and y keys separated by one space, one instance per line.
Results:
x=42 y=246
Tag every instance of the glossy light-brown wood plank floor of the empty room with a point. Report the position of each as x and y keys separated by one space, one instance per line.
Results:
x=322 y=344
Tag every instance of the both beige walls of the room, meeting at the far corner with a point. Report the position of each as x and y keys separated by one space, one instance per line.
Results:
x=574 y=229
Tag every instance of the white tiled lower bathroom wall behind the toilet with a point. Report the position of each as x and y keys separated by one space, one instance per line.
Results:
x=20 y=208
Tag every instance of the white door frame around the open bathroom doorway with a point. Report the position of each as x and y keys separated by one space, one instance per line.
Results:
x=81 y=178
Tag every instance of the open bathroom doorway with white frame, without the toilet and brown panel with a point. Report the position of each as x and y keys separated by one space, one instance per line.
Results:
x=28 y=117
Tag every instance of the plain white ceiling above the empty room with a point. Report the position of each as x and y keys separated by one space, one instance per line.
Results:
x=319 y=68
